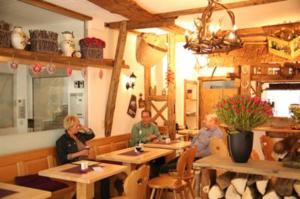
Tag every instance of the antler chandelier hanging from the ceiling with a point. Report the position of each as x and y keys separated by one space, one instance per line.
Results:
x=209 y=38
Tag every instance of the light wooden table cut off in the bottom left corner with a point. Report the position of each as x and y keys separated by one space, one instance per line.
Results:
x=24 y=192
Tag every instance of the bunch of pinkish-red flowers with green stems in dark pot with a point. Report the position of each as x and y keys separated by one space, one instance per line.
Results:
x=243 y=113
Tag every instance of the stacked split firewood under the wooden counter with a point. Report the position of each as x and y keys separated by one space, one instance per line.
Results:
x=231 y=185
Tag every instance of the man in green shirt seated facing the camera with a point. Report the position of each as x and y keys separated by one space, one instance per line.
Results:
x=144 y=131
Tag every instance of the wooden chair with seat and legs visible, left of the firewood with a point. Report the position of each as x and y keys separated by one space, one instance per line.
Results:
x=175 y=183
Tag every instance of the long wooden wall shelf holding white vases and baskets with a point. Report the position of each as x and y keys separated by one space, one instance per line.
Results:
x=29 y=57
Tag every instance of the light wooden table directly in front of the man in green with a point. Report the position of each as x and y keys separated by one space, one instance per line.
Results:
x=132 y=161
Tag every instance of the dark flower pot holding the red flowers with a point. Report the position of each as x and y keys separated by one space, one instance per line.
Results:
x=240 y=146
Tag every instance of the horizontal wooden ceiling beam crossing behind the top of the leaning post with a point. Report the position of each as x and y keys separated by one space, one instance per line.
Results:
x=144 y=24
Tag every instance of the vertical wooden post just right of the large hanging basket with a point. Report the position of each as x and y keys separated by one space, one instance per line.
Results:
x=171 y=86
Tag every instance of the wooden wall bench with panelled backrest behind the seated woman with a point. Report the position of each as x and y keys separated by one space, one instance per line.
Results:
x=31 y=162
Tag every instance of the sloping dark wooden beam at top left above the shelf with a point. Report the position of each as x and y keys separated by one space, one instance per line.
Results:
x=57 y=9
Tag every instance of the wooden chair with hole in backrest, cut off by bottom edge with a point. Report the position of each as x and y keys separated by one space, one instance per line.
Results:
x=136 y=184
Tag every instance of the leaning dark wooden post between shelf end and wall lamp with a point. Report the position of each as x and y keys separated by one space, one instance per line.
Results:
x=114 y=82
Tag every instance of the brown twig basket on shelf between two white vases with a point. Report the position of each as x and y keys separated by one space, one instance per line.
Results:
x=43 y=41
